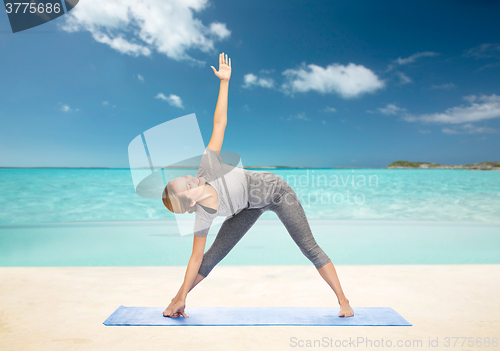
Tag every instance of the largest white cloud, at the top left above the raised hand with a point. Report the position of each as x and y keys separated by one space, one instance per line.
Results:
x=137 y=27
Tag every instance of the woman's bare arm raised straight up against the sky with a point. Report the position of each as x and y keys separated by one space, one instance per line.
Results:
x=220 y=116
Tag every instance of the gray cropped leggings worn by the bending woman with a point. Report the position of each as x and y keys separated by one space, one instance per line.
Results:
x=287 y=206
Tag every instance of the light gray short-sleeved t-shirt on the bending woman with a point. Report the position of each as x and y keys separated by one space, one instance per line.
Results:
x=237 y=188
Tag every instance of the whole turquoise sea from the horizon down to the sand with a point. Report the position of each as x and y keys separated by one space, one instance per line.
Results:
x=93 y=217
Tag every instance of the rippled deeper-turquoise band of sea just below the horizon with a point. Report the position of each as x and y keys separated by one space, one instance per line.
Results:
x=91 y=195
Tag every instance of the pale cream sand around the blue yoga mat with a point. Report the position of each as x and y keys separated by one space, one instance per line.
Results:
x=49 y=308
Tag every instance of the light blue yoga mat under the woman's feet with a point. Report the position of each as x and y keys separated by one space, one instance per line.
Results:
x=256 y=316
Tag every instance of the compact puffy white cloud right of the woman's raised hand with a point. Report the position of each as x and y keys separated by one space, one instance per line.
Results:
x=348 y=81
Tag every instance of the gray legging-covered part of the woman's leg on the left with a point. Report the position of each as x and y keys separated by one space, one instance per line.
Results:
x=231 y=231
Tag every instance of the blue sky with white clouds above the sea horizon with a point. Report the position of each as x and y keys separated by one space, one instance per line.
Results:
x=314 y=83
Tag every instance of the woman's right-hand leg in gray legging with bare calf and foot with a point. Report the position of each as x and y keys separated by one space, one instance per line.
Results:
x=289 y=210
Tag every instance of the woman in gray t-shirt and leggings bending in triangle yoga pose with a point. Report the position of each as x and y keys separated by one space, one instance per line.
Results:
x=242 y=195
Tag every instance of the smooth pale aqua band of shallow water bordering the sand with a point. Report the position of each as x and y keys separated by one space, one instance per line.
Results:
x=158 y=243
